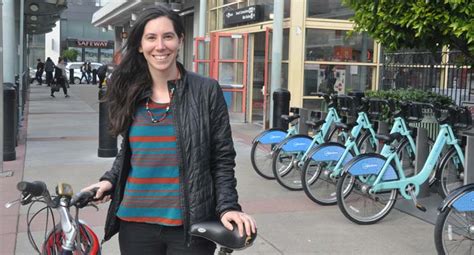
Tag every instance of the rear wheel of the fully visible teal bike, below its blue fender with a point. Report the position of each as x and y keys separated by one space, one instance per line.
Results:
x=350 y=211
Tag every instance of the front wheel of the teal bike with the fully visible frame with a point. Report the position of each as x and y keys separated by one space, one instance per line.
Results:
x=451 y=174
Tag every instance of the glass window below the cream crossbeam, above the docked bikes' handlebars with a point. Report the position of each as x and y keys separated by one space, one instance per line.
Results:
x=336 y=78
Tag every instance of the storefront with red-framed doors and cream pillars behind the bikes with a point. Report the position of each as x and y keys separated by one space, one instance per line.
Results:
x=237 y=52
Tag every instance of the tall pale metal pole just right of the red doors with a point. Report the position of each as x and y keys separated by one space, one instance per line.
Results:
x=277 y=46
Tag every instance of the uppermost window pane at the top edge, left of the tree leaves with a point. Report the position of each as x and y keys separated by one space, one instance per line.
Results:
x=328 y=9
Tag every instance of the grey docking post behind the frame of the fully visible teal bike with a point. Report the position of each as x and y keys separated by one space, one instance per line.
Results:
x=421 y=154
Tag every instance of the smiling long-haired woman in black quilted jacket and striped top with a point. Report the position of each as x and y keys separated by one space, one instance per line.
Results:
x=176 y=162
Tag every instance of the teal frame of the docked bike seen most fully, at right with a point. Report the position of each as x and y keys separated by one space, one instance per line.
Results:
x=445 y=137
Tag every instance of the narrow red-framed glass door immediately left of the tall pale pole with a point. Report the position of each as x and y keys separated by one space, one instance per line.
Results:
x=260 y=99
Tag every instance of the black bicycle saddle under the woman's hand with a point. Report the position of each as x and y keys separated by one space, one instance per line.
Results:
x=216 y=232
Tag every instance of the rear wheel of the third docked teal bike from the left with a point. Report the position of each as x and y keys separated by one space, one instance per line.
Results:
x=316 y=180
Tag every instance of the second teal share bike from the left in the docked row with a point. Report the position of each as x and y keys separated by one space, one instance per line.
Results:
x=291 y=153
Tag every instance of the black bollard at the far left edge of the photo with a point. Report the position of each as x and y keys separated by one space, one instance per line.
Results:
x=9 y=122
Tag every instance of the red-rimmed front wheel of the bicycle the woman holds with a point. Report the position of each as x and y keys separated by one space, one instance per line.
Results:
x=89 y=243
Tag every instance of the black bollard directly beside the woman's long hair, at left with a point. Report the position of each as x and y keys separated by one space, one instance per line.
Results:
x=107 y=143
